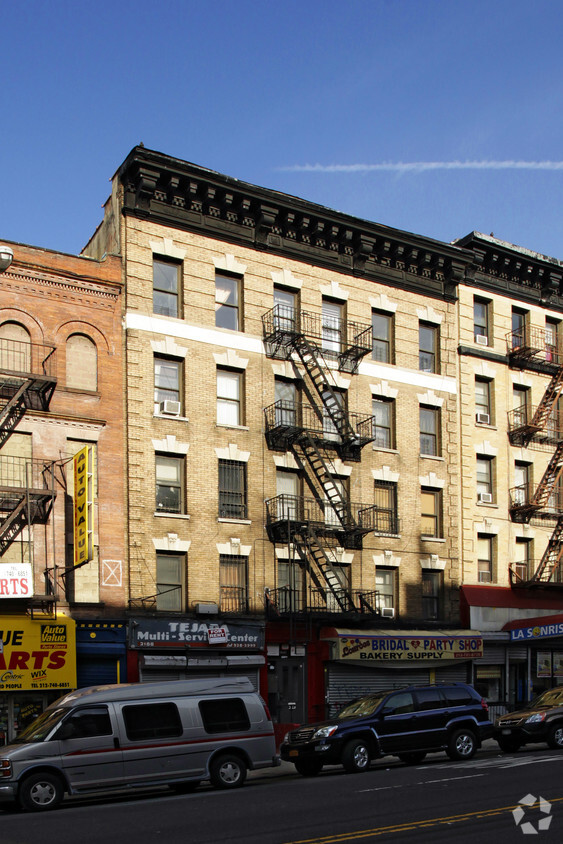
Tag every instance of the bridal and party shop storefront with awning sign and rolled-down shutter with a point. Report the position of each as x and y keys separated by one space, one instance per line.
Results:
x=363 y=662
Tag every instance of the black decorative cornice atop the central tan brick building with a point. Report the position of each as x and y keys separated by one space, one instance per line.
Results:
x=178 y=194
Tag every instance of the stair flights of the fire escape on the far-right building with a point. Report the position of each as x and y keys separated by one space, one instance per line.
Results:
x=523 y=505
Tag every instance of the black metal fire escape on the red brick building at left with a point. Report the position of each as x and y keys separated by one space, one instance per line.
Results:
x=27 y=382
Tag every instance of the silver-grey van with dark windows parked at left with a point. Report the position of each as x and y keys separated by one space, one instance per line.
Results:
x=136 y=735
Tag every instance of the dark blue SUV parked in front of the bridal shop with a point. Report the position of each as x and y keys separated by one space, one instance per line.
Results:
x=408 y=723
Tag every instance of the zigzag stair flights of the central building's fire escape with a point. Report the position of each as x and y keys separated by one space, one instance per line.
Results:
x=312 y=453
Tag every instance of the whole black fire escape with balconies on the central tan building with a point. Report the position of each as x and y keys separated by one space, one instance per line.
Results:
x=316 y=432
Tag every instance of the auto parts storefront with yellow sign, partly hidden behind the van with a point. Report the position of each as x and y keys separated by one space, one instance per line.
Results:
x=37 y=665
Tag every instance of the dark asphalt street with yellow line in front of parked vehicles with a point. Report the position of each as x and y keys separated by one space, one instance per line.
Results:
x=436 y=801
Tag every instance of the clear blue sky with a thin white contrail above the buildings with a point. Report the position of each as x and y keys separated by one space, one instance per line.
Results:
x=309 y=97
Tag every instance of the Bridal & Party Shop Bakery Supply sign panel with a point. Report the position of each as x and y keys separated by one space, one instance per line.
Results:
x=412 y=647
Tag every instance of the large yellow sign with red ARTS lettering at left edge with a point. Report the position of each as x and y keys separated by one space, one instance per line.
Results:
x=37 y=654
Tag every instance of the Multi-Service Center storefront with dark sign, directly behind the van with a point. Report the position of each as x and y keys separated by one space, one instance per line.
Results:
x=176 y=649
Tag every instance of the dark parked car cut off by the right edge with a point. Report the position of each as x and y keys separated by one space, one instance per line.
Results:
x=540 y=721
